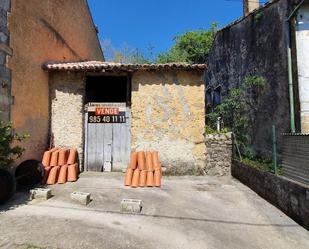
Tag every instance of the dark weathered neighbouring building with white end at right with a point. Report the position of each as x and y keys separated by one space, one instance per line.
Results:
x=271 y=41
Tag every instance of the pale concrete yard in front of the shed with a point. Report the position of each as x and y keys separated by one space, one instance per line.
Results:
x=187 y=212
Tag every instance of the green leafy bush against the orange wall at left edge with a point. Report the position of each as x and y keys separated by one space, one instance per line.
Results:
x=8 y=152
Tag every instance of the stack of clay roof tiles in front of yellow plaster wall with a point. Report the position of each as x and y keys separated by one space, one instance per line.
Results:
x=144 y=170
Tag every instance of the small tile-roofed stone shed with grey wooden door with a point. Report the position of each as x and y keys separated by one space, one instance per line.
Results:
x=108 y=109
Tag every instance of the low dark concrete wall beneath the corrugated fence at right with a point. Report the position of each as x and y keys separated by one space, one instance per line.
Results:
x=290 y=197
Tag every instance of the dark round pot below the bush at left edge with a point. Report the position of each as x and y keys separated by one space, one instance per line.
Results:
x=7 y=185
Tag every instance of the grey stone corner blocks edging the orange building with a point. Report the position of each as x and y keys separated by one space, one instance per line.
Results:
x=5 y=51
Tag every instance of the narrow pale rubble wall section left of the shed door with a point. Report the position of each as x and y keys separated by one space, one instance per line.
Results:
x=67 y=93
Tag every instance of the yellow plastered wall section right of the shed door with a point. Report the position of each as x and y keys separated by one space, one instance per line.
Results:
x=168 y=116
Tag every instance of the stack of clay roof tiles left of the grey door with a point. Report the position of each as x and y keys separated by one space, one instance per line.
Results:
x=60 y=166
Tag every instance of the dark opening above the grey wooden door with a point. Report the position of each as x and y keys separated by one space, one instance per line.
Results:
x=113 y=89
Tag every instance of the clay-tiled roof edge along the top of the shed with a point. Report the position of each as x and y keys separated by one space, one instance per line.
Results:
x=102 y=66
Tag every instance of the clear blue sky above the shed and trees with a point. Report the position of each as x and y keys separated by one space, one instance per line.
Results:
x=144 y=23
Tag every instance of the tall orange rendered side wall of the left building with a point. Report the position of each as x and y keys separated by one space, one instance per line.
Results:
x=44 y=30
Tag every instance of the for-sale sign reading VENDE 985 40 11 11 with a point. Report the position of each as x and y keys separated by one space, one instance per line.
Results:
x=106 y=113
